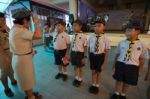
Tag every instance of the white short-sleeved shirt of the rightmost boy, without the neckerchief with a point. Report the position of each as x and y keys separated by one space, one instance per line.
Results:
x=138 y=50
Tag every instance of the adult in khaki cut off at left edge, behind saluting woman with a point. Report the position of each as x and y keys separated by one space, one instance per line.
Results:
x=5 y=57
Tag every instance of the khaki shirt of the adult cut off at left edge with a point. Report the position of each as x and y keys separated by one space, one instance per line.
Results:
x=4 y=33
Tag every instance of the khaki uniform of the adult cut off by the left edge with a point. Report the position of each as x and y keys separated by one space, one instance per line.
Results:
x=6 y=69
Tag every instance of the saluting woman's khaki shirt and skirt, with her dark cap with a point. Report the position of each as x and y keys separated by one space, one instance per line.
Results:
x=20 y=39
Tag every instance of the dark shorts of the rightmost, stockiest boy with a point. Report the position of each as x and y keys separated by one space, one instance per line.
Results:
x=126 y=73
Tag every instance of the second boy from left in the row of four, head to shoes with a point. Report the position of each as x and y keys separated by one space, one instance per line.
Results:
x=78 y=49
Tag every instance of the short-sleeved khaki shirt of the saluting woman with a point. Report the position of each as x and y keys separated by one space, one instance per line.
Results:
x=20 y=40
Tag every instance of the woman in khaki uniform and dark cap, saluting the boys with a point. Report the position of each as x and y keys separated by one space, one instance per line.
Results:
x=21 y=47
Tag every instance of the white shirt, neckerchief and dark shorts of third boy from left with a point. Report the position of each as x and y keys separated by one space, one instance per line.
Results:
x=97 y=46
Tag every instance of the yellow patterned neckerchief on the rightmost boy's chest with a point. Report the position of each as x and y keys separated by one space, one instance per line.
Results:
x=129 y=51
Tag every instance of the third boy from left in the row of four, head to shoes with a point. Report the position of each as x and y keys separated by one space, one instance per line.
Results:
x=98 y=51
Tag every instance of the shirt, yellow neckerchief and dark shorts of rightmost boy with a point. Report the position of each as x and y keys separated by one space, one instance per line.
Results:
x=127 y=65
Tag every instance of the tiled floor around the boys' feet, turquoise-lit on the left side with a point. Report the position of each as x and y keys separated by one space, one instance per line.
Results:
x=57 y=89
